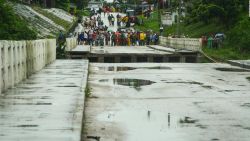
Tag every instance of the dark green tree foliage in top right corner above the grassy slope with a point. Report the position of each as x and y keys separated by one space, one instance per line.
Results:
x=225 y=11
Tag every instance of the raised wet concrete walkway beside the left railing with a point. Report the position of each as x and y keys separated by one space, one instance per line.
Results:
x=46 y=107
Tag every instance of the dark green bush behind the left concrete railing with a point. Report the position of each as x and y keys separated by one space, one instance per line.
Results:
x=12 y=27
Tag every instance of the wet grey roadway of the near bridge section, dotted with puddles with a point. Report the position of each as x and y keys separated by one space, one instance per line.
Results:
x=187 y=102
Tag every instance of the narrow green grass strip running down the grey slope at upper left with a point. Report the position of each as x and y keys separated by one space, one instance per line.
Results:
x=54 y=18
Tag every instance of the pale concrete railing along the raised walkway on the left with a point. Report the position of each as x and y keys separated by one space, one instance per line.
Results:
x=19 y=59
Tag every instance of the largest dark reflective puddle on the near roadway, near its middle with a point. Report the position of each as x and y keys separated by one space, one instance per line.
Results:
x=136 y=83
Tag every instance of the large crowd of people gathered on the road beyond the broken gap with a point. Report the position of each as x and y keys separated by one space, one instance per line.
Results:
x=97 y=33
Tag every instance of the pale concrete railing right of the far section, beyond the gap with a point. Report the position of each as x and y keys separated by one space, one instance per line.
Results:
x=193 y=44
